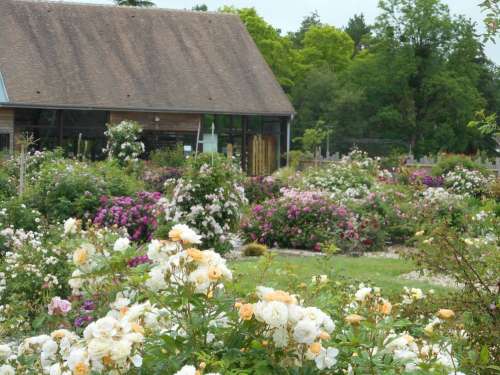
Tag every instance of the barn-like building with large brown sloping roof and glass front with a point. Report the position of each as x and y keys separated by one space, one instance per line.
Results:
x=66 y=70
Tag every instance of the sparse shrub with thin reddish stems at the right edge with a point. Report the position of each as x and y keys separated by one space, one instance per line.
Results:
x=468 y=252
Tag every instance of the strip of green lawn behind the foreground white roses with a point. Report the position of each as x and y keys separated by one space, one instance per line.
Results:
x=286 y=272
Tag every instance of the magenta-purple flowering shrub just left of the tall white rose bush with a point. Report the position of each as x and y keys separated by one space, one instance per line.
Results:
x=136 y=214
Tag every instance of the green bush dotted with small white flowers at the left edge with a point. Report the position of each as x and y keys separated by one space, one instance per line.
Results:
x=32 y=271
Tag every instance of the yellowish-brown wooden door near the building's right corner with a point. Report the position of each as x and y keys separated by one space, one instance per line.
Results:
x=262 y=155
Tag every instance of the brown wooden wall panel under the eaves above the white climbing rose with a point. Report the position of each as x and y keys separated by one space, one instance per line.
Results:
x=159 y=121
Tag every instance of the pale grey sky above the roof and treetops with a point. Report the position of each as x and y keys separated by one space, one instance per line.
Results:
x=288 y=14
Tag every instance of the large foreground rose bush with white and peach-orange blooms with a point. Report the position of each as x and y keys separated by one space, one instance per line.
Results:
x=176 y=315
